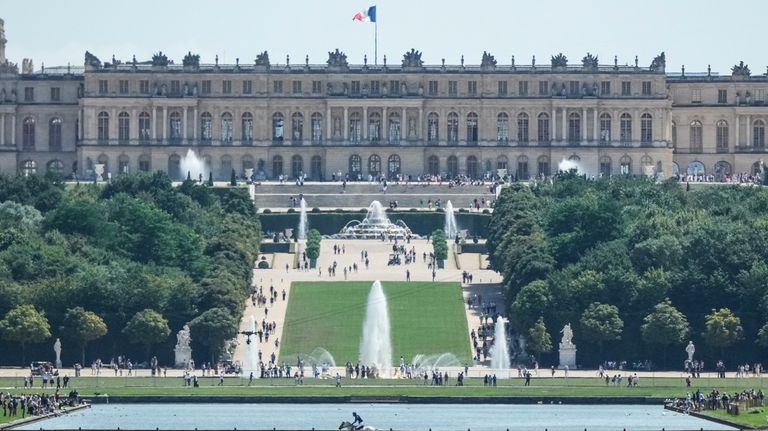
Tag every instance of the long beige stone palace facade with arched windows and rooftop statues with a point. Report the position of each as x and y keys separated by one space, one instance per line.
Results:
x=389 y=119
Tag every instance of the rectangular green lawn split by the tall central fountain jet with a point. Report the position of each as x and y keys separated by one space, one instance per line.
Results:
x=426 y=318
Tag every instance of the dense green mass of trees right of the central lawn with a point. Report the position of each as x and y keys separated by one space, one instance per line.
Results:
x=637 y=268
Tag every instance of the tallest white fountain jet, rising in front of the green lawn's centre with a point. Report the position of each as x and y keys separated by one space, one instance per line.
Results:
x=376 y=344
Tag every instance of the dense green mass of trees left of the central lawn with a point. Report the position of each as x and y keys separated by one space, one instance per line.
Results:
x=119 y=269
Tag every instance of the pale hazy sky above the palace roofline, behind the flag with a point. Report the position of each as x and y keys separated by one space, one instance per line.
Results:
x=694 y=33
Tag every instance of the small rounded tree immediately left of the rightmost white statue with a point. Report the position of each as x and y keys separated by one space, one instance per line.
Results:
x=665 y=326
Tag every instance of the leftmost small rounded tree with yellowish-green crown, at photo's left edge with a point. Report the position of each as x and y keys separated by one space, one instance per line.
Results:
x=25 y=325
